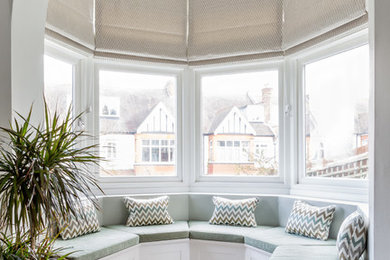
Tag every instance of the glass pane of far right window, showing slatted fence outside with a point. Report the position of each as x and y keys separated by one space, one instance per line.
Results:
x=336 y=117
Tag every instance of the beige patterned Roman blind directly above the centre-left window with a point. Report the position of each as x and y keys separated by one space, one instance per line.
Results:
x=149 y=28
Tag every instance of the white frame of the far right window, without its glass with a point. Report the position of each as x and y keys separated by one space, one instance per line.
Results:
x=312 y=55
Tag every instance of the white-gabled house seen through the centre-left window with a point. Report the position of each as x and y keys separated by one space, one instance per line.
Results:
x=137 y=134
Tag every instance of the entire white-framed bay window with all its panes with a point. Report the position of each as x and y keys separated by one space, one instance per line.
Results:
x=285 y=122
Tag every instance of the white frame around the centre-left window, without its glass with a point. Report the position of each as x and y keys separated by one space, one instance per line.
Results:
x=147 y=69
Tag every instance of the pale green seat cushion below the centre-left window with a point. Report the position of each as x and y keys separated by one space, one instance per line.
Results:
x=177 y=230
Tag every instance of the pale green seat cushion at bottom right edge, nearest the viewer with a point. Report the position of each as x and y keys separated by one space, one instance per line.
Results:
x=305 y=253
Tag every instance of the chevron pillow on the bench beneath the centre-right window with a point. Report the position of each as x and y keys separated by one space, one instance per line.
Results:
x=234 y=212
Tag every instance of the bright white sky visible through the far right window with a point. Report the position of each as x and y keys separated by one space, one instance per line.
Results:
x=336 y=85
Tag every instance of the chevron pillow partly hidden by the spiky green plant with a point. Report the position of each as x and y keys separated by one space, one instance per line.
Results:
x=84 y=221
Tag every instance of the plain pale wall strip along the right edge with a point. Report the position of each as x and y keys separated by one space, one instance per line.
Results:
x=379 y=129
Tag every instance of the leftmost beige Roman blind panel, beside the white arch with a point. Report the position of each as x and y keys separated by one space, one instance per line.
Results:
x=72 y=19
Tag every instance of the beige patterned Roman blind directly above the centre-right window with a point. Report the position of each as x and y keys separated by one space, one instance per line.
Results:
x=223 y=28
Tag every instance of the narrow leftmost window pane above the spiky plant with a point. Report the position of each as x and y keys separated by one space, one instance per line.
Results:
x=58 y=85
